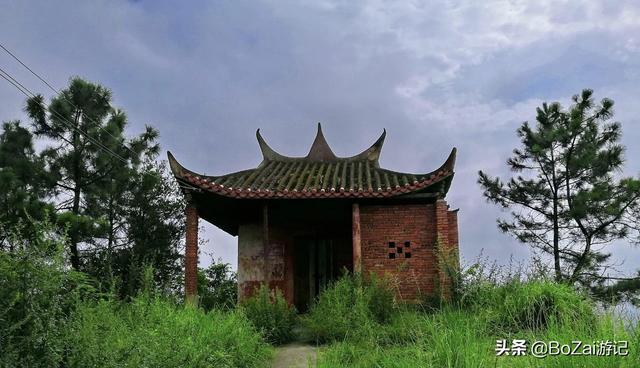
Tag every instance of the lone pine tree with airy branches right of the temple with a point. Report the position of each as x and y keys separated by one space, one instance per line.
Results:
x=567 y=200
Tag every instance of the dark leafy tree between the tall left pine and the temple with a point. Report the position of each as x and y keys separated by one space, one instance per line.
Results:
x=153 y=231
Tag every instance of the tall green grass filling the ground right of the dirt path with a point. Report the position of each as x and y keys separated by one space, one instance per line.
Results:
x=465 y=334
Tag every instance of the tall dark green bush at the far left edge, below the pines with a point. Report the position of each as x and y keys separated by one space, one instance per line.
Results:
x=38 y=296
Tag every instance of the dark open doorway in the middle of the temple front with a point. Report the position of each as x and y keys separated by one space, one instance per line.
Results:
x=317 y=262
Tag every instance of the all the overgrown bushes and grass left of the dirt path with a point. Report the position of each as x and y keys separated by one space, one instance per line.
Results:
x=51 y=315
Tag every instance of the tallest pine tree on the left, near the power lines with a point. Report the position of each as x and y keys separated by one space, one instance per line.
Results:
x=76 y=121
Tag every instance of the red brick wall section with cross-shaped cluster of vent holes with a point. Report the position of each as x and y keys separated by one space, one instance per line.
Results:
x=415 y=266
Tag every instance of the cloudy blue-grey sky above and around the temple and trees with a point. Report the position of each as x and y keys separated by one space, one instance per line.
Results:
x=435 y=74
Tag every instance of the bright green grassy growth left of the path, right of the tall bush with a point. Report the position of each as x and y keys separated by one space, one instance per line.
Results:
x=150 y=331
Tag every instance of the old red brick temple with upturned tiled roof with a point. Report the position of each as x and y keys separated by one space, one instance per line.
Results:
x=301 y=220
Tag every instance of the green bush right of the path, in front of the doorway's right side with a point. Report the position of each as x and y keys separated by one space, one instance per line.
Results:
x=349 y=306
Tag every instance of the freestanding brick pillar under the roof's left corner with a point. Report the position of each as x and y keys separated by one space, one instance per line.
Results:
x=191 y=253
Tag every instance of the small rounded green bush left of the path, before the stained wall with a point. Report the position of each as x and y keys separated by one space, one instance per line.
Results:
x=270 y=314
